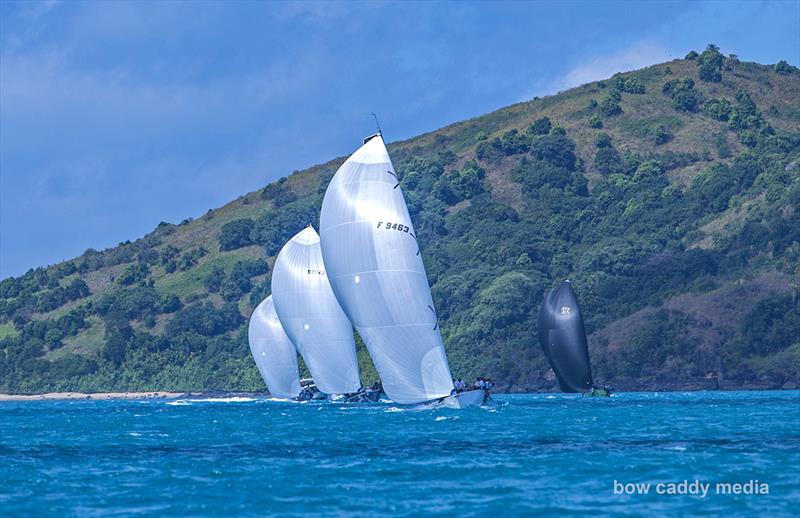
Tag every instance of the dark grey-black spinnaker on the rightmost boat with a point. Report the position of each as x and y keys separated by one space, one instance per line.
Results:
x=563 y=339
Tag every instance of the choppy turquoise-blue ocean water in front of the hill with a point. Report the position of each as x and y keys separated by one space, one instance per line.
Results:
x=524 y=454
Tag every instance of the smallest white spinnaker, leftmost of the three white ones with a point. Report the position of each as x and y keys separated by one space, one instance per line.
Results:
x=275 y=356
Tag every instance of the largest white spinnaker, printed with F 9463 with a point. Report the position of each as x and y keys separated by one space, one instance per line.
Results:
x=375 y=268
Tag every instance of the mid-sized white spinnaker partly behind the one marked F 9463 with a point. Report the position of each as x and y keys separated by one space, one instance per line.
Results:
x=312 y=317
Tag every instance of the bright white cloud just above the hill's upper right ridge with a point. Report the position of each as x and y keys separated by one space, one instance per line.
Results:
x=639 y=55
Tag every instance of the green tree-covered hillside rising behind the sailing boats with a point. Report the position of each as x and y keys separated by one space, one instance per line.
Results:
x=668 y=195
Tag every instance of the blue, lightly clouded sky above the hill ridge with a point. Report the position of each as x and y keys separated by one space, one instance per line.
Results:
x=115 y=116
